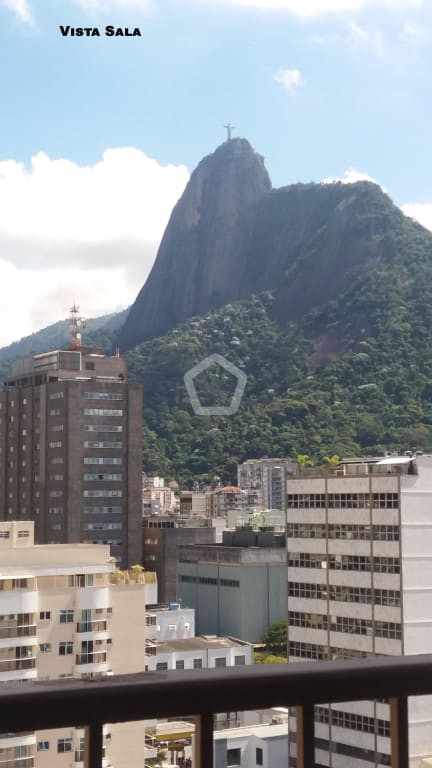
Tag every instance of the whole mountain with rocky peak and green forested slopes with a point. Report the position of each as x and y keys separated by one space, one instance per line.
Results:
x=320 y=293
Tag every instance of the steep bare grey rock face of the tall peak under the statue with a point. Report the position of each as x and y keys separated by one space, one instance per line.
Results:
x=199 y=266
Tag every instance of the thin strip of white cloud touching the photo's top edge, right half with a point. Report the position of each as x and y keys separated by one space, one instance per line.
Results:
x=309 y=8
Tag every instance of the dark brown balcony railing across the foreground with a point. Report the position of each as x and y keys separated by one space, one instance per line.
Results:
x=66 y=703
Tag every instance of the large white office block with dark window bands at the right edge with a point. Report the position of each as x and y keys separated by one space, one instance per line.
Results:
x=359 y=543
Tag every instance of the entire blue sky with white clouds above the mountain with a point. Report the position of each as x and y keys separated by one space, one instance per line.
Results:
x=98 y=134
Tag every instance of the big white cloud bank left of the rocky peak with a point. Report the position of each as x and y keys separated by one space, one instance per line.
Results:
x=88 y=233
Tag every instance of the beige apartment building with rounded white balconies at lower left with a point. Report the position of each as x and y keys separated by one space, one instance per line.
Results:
x=62 y=617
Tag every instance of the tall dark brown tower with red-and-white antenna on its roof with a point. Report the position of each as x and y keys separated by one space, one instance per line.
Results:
x=70 y=450
